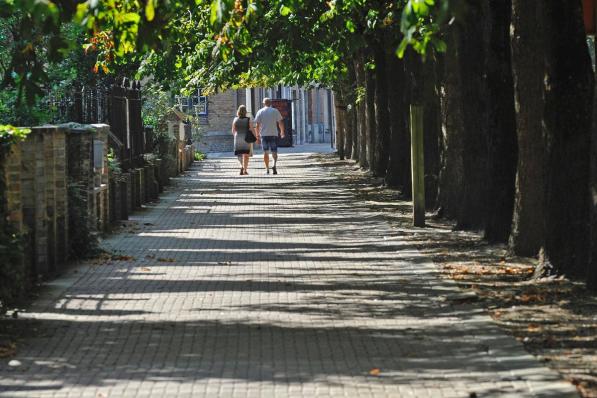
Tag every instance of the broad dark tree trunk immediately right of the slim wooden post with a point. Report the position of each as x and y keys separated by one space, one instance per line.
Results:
x=463 y=178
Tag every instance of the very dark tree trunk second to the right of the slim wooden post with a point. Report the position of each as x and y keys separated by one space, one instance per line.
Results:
x=502 y=140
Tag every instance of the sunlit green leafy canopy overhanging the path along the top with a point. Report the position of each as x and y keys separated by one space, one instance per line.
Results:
x=217 y=44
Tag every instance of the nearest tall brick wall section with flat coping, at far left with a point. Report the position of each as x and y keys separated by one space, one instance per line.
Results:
x=38 y=172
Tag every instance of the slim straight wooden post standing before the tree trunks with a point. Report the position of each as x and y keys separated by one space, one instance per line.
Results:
x=417 y=164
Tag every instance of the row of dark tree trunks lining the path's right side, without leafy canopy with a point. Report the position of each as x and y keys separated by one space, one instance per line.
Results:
x=508 y=127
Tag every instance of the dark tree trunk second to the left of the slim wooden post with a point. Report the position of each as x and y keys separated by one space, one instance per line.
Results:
x=382 y=116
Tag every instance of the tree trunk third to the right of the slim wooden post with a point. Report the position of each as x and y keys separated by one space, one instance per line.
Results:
x=528 y=66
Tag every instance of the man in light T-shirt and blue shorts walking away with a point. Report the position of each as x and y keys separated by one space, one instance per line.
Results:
x=267 y=119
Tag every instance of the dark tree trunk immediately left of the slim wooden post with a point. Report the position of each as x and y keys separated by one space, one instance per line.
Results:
x=399 y=174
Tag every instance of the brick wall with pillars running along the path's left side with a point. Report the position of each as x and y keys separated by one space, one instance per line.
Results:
x=39 y=172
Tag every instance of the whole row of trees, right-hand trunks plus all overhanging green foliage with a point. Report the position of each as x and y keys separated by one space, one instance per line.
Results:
x=507 y=87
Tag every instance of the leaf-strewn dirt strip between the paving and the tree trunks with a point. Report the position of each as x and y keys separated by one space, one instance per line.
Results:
x=554 y=318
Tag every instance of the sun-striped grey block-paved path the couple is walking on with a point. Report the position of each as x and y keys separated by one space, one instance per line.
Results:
x=266 y=286
